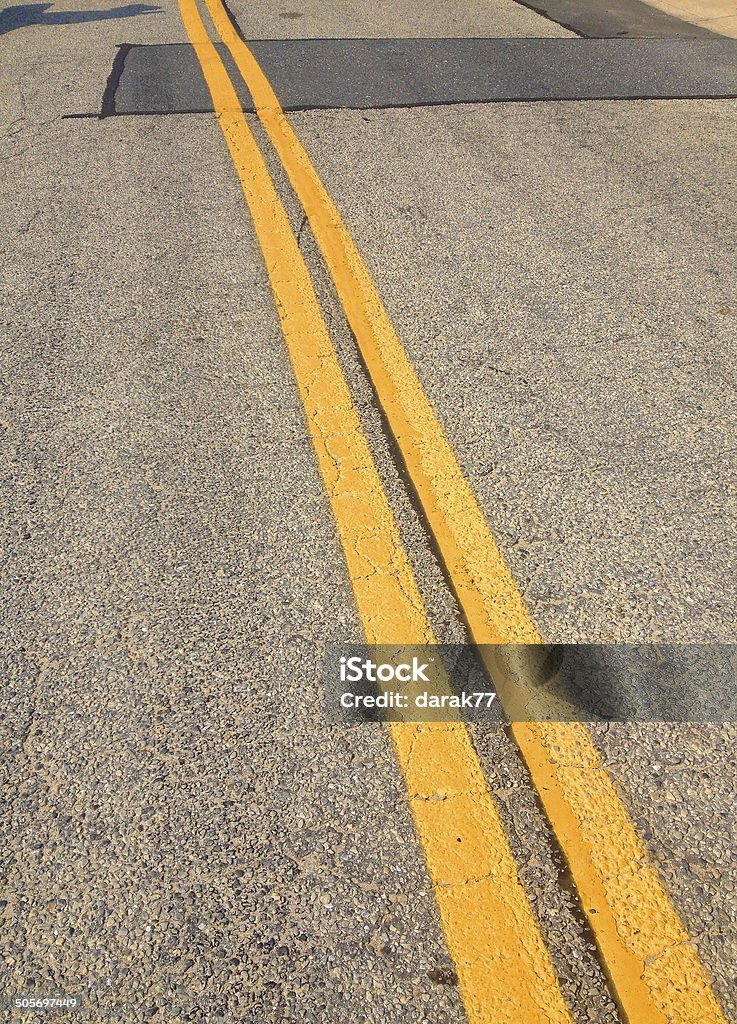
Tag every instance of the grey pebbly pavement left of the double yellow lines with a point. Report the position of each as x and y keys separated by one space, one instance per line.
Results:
x=186 y=841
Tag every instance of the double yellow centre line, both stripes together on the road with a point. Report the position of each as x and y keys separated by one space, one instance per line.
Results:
x=505 y=970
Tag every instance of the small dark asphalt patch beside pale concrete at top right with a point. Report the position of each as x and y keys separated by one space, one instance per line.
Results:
x=618 y=19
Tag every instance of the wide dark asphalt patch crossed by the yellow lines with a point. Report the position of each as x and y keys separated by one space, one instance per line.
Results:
x=317 y=74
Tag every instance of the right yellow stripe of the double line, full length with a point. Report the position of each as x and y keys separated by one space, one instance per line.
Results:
x=655 y=970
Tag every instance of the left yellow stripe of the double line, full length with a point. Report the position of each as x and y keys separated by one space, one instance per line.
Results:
x=505 y=970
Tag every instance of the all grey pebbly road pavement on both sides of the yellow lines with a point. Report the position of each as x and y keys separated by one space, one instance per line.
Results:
x=186 y=839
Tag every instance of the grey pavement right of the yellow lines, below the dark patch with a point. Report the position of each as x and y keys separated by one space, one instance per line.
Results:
x=571 y=312
